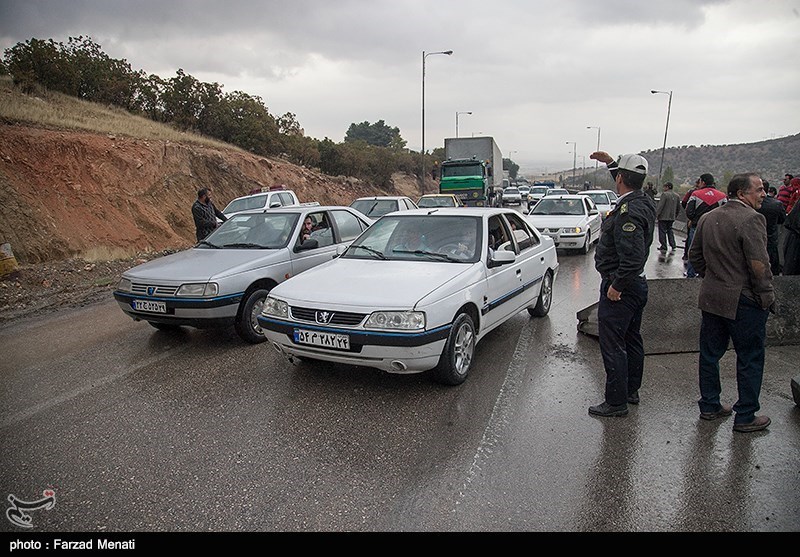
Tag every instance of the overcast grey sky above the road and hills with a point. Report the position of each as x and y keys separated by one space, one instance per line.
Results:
x=533 y=73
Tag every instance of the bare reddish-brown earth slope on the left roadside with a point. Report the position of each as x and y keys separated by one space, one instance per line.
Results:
x=69 y=193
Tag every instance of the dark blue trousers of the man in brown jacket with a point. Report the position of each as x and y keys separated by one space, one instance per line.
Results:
x=748 y=331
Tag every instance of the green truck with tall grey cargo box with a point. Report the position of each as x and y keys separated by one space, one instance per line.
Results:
x=473 y=171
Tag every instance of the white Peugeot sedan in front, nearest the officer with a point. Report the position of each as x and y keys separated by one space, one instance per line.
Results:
x=415 y=292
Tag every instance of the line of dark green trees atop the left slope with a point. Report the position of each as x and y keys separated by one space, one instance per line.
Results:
x=80 y=68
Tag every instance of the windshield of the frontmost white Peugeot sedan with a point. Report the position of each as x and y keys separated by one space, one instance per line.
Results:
x=453 y=239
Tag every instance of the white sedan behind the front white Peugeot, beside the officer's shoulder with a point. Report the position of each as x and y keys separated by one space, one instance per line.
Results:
x=572 y=221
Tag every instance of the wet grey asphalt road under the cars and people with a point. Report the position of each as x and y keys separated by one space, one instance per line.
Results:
x=141 y=430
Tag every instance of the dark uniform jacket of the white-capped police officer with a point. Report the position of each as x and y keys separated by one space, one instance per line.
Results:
x=627 y=233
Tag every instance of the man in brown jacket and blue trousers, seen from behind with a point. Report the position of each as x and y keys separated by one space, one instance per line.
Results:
x=729 y=252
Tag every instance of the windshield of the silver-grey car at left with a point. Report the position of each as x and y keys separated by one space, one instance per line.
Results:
x=253 y=231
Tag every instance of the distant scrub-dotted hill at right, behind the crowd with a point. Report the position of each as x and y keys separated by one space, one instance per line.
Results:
x=771 y=158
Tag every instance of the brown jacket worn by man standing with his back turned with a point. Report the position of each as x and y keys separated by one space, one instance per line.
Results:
x=729 y=251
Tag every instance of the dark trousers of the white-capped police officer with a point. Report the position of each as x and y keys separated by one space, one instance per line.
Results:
x=621 y=345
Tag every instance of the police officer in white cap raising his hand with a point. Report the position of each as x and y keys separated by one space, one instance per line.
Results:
x=620 y=257
